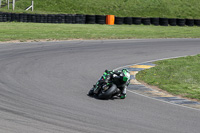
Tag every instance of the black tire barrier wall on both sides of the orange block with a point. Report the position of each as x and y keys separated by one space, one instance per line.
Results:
x=94 y=19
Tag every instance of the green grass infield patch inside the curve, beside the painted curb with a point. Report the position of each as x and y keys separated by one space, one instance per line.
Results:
x=179 y=76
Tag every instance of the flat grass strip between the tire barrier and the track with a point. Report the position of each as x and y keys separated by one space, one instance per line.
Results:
x=35 y=31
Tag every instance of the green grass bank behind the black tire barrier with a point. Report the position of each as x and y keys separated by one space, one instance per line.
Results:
x=125 y=8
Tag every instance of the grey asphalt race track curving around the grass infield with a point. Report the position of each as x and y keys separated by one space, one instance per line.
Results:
x=44 y=86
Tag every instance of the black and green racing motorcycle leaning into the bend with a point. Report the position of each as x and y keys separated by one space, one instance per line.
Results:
x=104 y=88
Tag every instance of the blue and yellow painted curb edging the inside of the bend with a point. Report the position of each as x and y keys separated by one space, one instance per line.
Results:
x=139 y=88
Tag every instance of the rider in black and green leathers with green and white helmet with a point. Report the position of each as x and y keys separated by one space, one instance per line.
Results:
x=120 y=78
